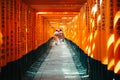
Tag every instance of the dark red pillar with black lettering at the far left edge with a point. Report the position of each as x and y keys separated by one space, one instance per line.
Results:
x=3 y=31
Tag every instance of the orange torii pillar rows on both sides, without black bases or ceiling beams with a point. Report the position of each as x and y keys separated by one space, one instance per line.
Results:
x=95 y=29
